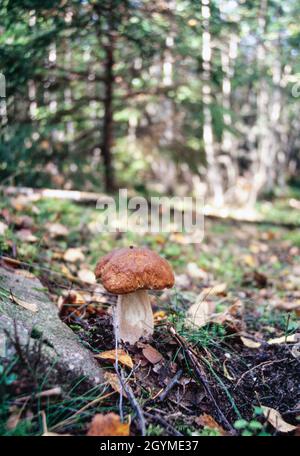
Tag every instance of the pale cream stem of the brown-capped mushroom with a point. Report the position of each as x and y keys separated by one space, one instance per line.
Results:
x=133 y=317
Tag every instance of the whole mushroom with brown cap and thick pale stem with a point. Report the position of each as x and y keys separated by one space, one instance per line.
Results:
x=129 y=273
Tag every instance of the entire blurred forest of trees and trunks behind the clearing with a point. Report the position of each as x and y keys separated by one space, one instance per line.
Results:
x=165 y=96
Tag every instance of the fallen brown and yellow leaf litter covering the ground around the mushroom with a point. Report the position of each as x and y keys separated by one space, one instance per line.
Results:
x=242 y=356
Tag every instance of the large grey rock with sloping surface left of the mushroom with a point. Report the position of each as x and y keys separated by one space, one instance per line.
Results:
x=61 y=348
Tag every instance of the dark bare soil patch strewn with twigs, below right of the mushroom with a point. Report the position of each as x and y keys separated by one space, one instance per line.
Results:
x=238 y=378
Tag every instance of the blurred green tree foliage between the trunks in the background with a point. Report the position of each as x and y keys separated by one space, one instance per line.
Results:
x=53 y=55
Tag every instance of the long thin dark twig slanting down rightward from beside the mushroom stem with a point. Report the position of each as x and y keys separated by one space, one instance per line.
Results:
x=192 y=356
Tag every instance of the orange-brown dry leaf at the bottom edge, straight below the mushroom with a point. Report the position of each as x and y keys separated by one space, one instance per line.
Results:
x=108 y=425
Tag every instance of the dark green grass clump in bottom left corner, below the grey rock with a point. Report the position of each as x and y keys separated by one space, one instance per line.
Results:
x=71 y=413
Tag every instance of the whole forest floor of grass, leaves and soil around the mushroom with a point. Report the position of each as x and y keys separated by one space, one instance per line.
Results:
x=233 y=369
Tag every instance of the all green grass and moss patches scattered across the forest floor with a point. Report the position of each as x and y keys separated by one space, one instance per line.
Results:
x=221 y=256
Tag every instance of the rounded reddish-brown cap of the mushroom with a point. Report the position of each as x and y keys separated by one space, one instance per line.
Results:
x=135 y=268
